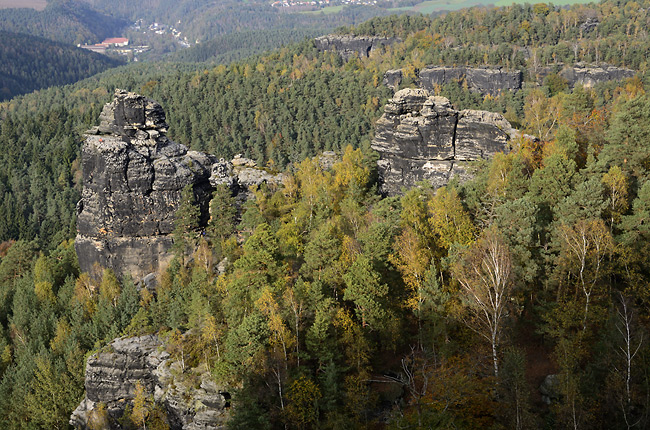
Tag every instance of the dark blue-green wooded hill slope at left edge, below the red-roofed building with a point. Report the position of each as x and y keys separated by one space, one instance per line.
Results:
x=30 y=63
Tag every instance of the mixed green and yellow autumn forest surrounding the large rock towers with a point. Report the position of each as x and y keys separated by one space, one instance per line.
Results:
x=340 y=308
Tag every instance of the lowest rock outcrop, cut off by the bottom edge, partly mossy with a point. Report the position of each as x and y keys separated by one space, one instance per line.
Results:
x=191 y=400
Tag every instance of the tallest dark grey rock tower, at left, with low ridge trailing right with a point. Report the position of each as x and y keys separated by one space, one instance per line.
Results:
x=133 y=178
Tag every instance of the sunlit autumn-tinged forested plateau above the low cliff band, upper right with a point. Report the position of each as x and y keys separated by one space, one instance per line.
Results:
x=525 y=36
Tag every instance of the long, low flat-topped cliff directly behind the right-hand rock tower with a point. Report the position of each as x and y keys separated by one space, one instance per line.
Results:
x=485 y=80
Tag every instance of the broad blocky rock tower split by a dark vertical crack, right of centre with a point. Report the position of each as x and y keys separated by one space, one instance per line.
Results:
x=421 y=137
